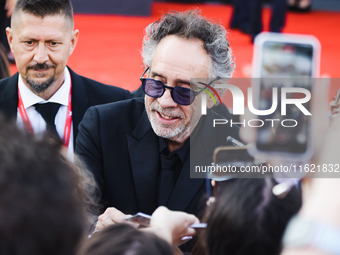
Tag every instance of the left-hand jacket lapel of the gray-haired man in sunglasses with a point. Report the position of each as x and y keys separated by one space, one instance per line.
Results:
x=144 y=159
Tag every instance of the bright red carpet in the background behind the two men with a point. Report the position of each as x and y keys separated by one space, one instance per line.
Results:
x=108 y=47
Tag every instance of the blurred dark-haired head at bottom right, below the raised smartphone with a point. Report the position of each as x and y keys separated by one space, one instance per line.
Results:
x=247 y=218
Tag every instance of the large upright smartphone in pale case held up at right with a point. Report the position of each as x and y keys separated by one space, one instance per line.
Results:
x=284 y=66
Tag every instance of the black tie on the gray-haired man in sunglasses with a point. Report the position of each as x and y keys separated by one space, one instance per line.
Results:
x=167 y=179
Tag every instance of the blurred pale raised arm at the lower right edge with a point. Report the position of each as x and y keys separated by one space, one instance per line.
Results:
x=316 y=230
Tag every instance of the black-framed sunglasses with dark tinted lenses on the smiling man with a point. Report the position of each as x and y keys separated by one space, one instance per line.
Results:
x=156 y=89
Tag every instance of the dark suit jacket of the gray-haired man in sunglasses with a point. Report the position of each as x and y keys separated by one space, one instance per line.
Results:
x=119 y=146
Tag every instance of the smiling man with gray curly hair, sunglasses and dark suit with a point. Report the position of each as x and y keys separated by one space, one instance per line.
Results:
x=138 y=150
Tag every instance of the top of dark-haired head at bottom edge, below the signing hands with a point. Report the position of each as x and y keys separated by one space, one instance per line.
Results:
x=123 y=239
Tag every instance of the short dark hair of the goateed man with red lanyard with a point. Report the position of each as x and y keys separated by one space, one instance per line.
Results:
x=42 y=8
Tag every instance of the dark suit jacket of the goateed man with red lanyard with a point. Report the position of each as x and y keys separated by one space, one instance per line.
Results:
x=85 y=93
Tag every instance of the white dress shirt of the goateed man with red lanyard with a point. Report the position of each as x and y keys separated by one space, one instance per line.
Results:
x=38 y=123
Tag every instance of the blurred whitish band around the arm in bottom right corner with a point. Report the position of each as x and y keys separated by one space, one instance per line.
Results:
x=302 y=232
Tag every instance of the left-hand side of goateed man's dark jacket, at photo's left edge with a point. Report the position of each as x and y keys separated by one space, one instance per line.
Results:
x=9 y=97
